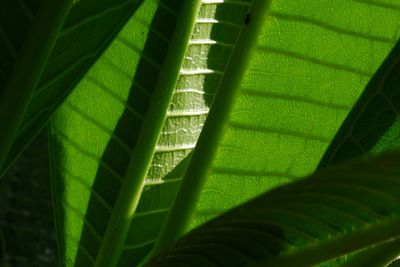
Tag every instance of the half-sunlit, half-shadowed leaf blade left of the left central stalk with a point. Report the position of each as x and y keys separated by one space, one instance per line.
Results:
x=82 y=133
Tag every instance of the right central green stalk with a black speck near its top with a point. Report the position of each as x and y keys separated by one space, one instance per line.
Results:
x=198 y=170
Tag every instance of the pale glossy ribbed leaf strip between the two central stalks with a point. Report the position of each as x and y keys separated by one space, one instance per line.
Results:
x=209 y=50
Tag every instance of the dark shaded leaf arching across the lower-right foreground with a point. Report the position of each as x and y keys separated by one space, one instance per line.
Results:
x=331 y=213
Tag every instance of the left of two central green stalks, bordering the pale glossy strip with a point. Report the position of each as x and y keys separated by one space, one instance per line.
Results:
x=132 y=187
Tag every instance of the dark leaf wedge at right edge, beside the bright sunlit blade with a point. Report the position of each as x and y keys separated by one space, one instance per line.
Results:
x=373 y=124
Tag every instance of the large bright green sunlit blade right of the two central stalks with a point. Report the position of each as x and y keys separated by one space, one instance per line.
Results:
x=295 y=95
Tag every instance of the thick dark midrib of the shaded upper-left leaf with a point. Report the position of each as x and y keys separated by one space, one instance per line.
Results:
x=15 y=98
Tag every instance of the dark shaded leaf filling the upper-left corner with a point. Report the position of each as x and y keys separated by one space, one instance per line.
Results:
x=89 y=28
